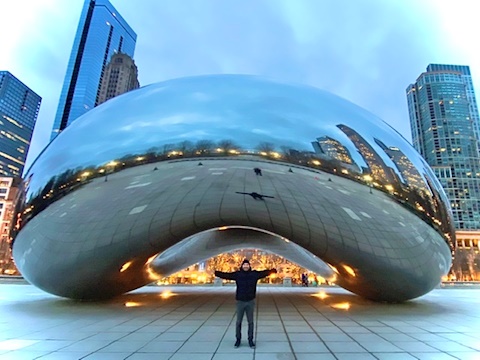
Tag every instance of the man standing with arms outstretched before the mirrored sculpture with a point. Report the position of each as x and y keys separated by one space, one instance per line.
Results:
x=246 y=280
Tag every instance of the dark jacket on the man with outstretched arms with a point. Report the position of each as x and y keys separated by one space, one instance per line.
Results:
x=246 y=281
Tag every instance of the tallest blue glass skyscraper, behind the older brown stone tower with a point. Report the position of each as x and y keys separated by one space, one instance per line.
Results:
x=101 y=32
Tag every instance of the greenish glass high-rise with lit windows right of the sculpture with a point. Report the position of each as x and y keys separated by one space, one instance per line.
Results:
x=442 y=120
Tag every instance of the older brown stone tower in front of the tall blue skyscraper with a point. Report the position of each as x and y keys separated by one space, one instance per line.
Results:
x=121 y=75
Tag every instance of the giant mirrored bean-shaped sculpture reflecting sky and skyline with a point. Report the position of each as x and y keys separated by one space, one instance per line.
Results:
x=176 y=172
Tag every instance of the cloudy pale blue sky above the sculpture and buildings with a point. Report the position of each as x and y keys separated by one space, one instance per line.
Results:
x=367 y=51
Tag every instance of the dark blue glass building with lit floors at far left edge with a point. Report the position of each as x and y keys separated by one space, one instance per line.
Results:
x=19 y=107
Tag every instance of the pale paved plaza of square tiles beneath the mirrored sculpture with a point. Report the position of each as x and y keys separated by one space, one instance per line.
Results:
x=198 y=323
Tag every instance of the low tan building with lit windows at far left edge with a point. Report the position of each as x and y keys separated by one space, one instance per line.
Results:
x=8 y=194
